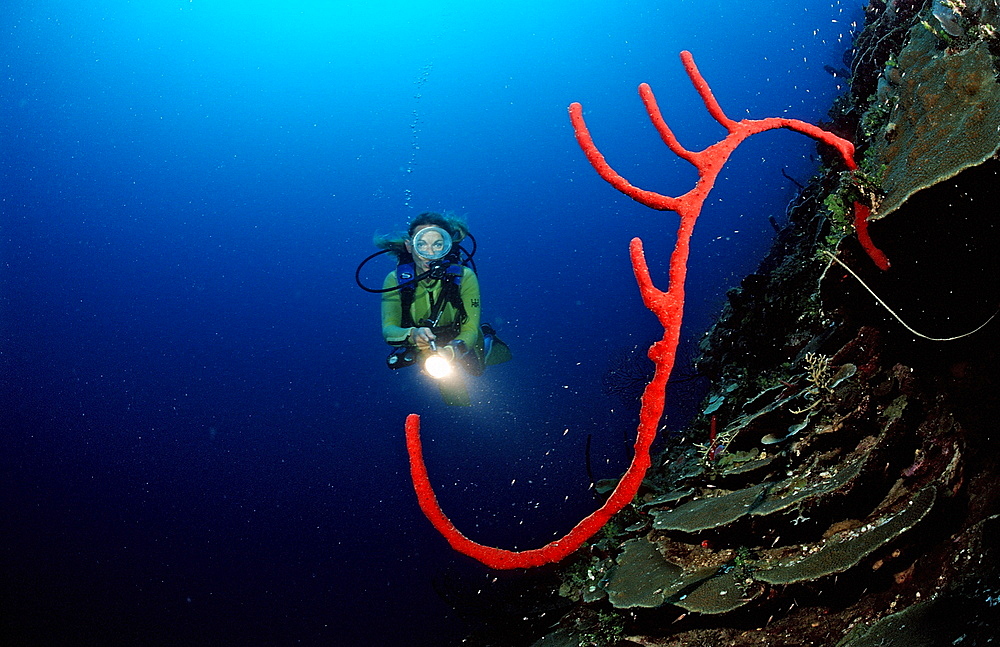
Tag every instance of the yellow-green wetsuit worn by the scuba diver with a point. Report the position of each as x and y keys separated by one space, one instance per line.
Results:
x=425 y=295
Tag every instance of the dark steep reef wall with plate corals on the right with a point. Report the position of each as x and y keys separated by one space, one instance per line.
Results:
x=849 y=493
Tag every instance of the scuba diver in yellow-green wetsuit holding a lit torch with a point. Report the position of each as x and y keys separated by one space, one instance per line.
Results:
x=431 y=305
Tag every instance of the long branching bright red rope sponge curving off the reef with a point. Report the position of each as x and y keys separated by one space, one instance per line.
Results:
x=667 y=306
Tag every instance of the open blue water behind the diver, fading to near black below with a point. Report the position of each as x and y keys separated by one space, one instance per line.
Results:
x=201 y=442
